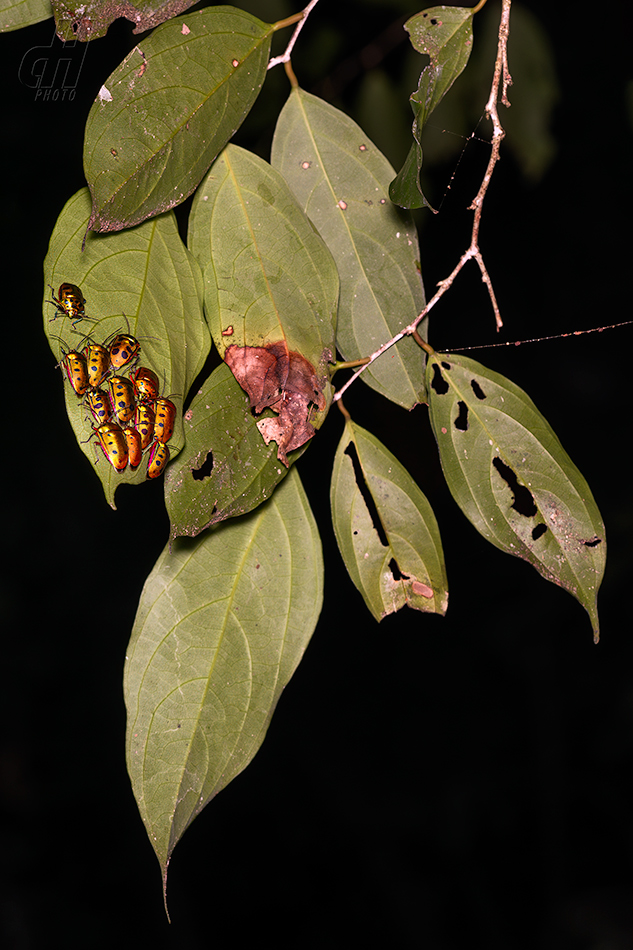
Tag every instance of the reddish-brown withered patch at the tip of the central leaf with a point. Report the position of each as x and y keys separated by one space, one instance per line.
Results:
x=275 y=377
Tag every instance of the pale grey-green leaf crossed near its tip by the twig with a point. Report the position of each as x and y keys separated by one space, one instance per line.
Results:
x=342 y=181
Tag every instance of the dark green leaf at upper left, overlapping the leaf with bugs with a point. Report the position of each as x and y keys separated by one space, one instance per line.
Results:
x=164 y=114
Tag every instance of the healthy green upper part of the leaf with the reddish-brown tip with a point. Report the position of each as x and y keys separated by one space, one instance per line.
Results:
x=268 y=275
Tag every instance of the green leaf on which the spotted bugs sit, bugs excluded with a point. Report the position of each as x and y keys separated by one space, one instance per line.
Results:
x=144 y=282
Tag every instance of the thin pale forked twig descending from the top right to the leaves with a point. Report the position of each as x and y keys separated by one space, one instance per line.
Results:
x=501 y=70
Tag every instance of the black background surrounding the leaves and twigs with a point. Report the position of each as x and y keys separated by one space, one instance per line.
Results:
x=427 y=782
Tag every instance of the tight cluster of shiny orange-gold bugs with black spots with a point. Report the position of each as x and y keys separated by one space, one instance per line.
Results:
x=130 y=415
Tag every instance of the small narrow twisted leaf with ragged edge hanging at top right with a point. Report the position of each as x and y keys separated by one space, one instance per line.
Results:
x=446 y=35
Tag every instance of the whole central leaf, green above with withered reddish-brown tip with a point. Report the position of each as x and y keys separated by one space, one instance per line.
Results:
x=271 y=292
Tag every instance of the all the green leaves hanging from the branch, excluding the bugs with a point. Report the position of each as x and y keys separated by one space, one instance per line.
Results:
x=286 y=264
